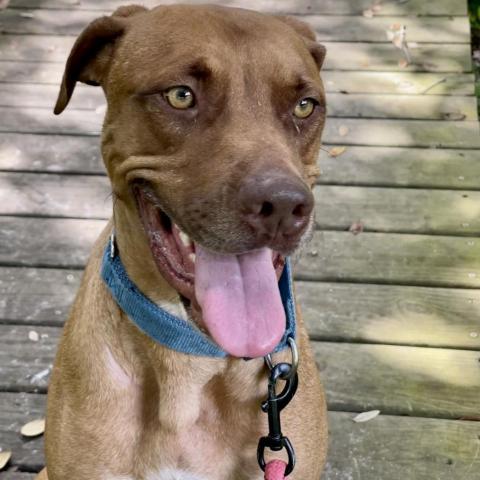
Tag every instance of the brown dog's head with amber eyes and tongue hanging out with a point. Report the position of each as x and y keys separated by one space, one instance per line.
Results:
x=210 y=139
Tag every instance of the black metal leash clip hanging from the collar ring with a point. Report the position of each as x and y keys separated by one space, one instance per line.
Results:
x=275 y=440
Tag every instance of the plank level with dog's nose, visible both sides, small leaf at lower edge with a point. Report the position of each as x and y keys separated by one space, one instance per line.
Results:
x=337 y=207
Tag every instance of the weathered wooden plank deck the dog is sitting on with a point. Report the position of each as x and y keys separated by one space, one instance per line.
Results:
x=394 y=312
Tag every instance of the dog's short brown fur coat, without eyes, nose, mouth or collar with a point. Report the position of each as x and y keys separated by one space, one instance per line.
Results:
x=159 y=407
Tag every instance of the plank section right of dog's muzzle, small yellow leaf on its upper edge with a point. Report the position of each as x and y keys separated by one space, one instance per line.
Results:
x=401 y=167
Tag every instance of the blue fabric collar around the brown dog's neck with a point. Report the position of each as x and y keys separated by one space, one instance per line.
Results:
x=167 y=329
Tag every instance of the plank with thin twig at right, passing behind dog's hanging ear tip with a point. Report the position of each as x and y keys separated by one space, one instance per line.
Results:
x=336 y=82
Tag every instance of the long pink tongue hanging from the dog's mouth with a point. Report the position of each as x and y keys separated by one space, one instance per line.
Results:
x=240 y=301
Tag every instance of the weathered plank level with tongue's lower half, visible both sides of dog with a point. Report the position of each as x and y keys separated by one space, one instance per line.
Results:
x=419 y=316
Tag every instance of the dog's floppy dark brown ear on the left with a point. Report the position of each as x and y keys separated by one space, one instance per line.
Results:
x=90 y=56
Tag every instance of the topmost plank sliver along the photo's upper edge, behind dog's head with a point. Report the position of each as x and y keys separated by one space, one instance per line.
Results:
x=325 y=7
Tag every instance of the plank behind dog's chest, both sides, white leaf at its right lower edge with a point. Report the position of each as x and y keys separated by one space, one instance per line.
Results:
x=395 y=379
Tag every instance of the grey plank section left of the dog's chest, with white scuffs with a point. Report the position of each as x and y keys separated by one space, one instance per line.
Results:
x=25 y=365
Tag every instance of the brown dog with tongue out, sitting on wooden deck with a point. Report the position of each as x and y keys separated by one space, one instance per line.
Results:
x=212 y=133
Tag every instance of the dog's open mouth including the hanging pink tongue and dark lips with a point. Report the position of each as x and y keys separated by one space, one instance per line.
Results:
x=236 y=295
